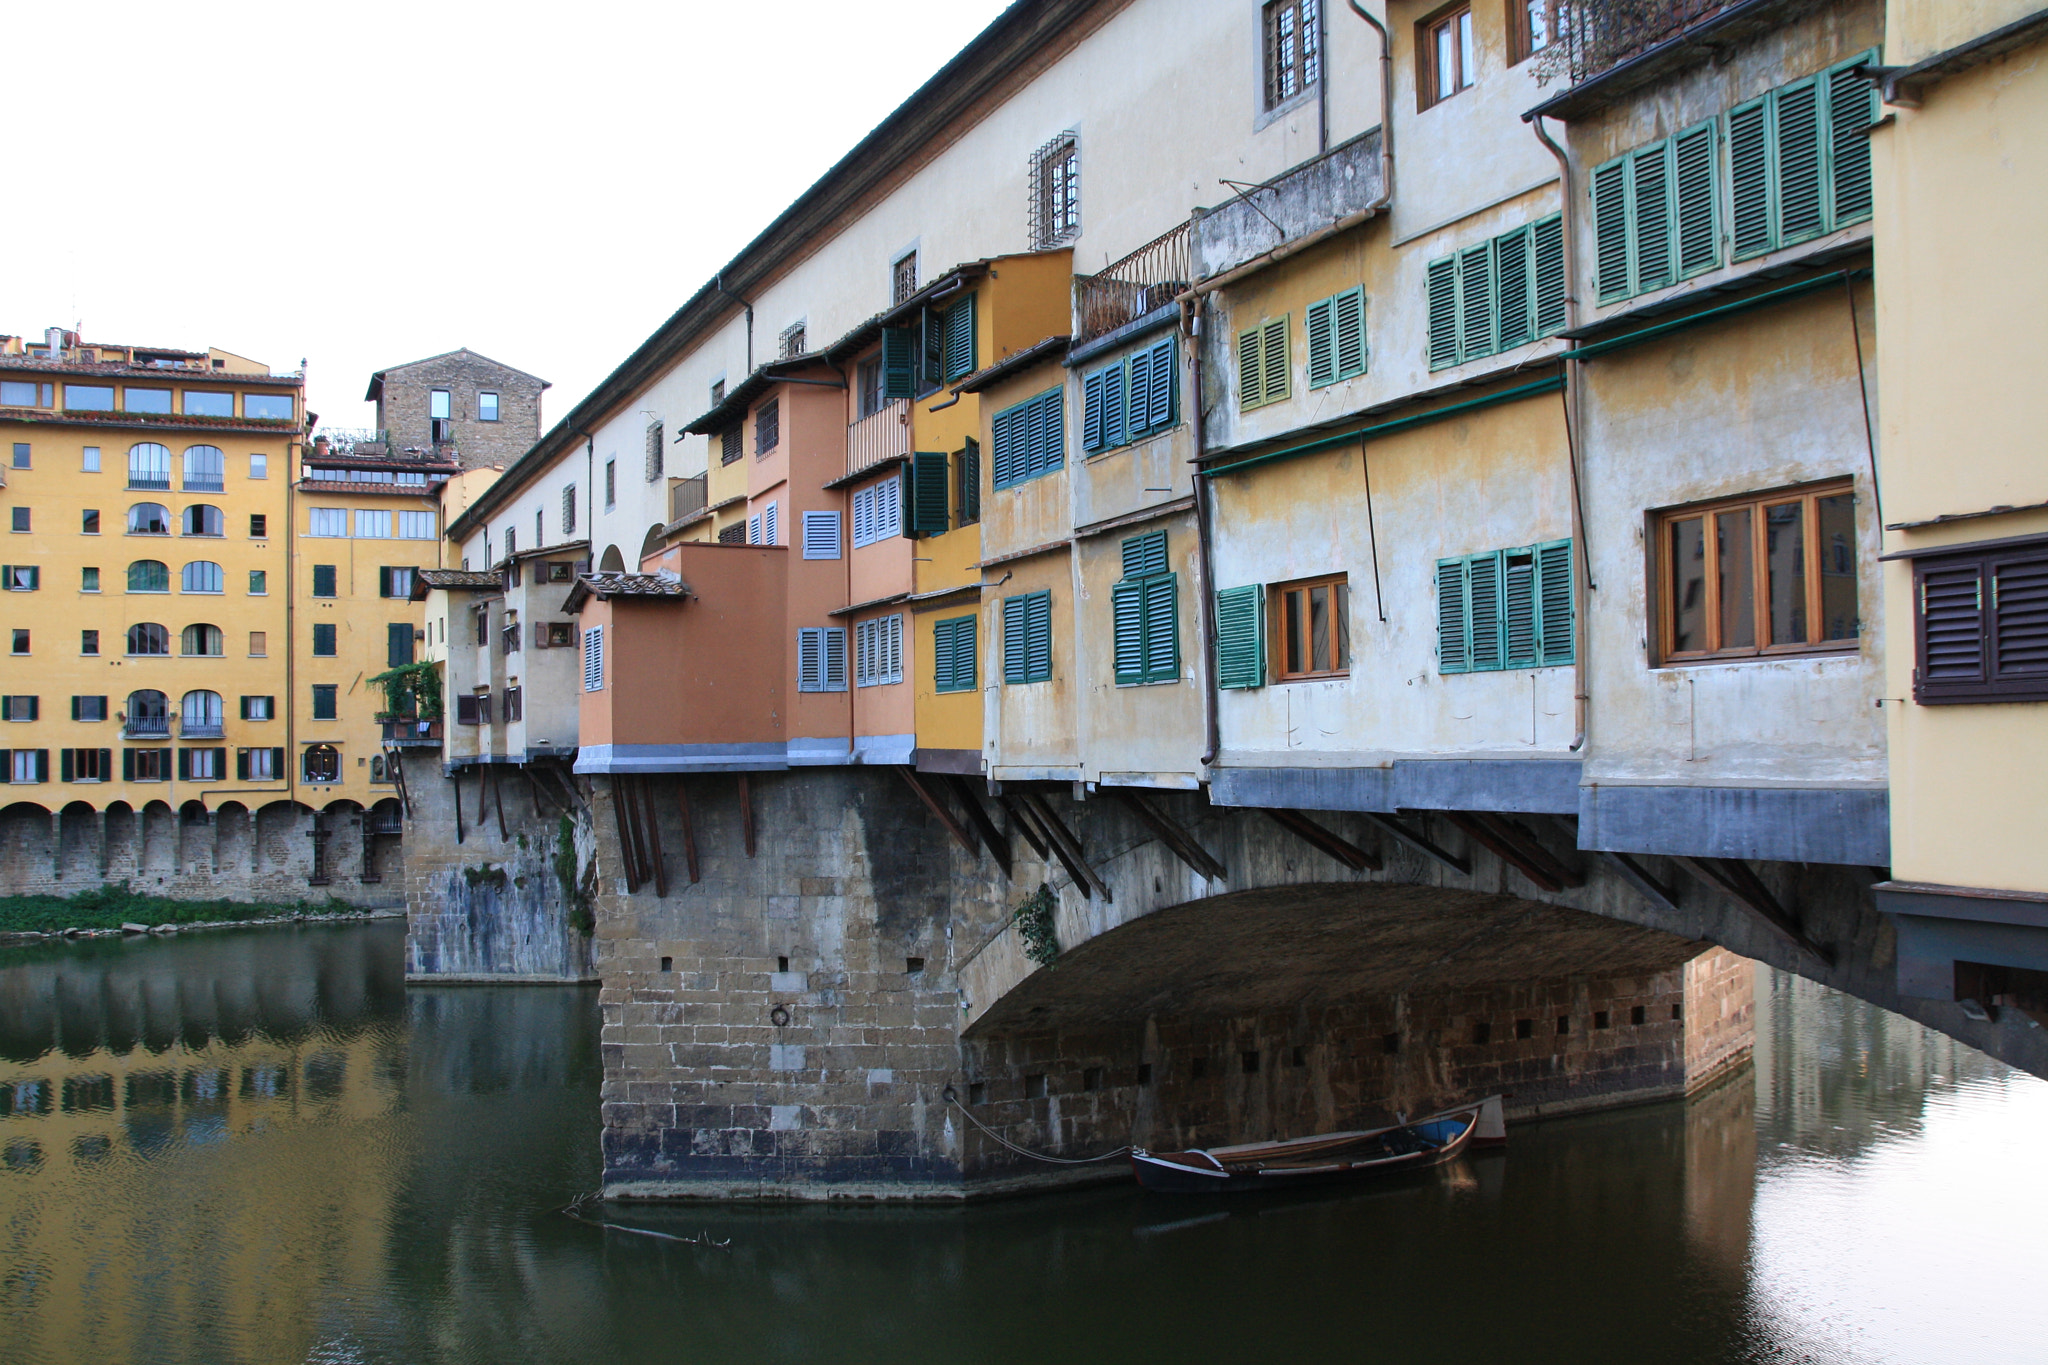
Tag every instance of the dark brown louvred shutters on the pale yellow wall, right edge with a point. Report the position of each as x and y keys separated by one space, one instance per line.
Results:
x=1981 y=627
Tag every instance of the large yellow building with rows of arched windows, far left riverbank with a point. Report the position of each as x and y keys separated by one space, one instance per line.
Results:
x=146 y=574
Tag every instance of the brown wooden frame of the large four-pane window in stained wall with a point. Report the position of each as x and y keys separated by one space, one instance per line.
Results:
x=1666 y=582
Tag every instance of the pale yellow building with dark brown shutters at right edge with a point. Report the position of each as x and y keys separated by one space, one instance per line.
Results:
x=1961 y=163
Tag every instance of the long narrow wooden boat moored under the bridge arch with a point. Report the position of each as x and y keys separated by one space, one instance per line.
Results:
x=1324 y=1157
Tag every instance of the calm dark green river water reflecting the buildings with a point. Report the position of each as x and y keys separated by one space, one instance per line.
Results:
x=263 y=1147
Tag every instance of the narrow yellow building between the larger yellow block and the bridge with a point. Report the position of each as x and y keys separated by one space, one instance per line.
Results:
x=368 y=523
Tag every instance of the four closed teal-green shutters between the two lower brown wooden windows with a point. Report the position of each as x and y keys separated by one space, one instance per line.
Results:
x=1504 y=609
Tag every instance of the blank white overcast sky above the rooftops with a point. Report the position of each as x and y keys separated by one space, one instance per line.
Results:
x=382 y=181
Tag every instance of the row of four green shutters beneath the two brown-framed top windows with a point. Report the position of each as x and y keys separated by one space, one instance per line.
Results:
x=1498 y=296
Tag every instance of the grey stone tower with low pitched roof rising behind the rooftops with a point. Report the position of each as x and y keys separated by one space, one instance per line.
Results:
x=460 y=402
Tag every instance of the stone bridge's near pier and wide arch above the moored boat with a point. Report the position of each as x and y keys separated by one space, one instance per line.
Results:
x=798 y=967
